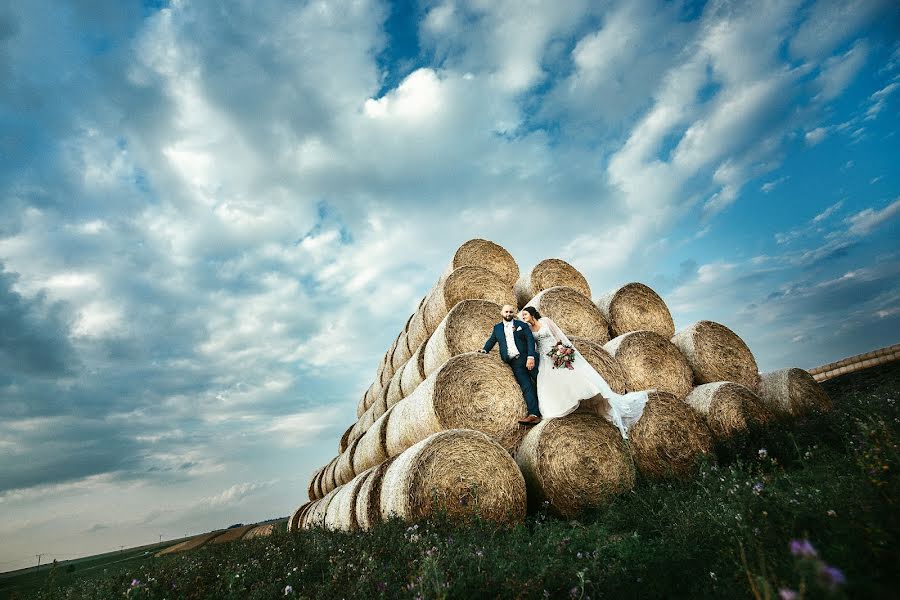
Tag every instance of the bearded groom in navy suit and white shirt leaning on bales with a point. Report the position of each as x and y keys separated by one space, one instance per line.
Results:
x=517 y=350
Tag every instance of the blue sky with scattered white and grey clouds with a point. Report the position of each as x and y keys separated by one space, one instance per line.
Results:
x=216 y=217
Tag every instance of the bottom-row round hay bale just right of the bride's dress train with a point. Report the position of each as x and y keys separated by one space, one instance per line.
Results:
x=669 y=438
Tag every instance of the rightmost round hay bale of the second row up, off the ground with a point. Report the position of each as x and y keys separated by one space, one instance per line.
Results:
x=716 y=353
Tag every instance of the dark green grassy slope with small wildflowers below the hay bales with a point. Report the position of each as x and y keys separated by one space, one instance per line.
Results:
x=828 y=479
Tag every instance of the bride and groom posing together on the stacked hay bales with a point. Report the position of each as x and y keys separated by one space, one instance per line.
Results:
x=556 y=389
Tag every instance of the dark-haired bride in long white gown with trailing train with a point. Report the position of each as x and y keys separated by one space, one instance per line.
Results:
x=561 y=390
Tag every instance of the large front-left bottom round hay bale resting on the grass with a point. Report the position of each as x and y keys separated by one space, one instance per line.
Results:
x=460 y=471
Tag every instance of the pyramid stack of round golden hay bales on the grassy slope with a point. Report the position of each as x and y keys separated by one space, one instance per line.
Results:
x=439 y=423
